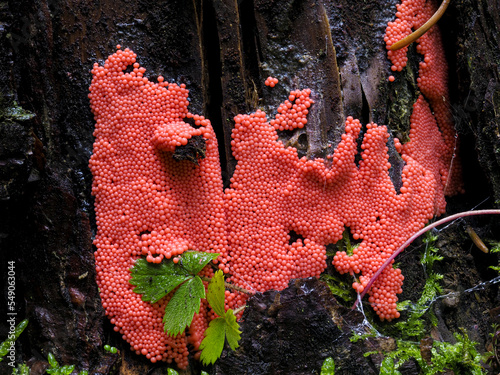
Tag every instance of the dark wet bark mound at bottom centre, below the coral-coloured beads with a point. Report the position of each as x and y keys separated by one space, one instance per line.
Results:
x=293 y=331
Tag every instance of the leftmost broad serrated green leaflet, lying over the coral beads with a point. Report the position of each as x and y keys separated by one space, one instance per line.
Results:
x=155 y=281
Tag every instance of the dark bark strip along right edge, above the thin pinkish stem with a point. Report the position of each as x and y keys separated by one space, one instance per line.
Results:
x=475 y=29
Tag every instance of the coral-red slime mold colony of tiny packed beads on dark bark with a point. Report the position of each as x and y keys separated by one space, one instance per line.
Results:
x=148 y=204
